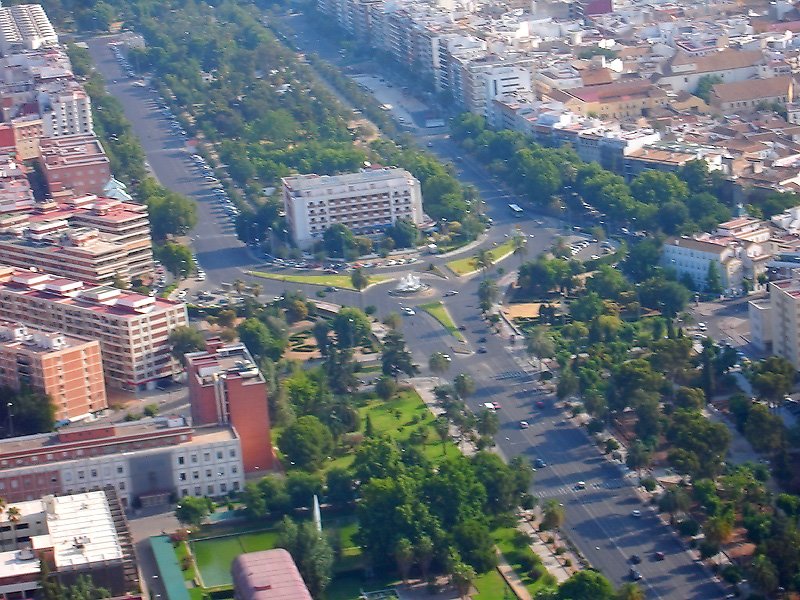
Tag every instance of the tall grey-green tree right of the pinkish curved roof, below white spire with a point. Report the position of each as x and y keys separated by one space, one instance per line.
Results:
x=311 y=553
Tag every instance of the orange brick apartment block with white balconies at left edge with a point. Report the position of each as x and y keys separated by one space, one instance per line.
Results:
x=66 y=368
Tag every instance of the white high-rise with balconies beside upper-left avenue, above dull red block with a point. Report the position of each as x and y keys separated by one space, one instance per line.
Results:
x=65 y=109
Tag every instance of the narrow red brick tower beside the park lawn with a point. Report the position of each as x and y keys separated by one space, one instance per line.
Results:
x=227 y=388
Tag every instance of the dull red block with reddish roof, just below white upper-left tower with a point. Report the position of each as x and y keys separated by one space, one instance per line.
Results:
x=76 y=162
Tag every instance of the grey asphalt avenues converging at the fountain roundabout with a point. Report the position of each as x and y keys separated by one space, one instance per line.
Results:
x=598 y=518
